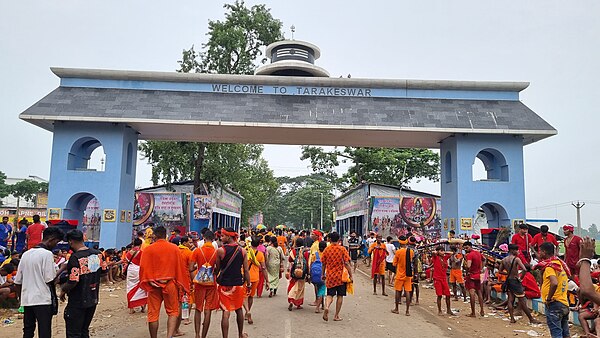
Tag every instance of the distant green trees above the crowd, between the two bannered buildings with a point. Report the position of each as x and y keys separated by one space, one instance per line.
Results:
x=298 y=202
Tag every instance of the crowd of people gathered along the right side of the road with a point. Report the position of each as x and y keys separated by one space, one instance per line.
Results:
x=527 y=268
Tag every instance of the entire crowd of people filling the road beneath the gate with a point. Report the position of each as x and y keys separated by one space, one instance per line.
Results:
x=194 y=275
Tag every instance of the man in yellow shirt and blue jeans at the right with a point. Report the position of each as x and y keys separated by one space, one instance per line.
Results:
x=554 y=290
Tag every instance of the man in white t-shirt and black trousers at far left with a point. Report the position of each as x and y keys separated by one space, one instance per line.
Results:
x=34 y=281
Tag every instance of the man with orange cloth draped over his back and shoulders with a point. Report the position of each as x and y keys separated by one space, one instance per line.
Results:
x=162 y=275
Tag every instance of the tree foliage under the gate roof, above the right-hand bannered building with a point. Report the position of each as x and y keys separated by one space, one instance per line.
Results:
x=393 y=166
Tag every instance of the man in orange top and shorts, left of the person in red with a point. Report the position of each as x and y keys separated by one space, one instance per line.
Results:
x=403 y=263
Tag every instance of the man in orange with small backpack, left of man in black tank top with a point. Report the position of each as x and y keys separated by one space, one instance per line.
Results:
x=205 y=287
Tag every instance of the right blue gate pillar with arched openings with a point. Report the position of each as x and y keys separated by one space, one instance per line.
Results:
x=461 y=196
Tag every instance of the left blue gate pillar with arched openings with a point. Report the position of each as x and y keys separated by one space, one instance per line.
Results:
x=114 y=187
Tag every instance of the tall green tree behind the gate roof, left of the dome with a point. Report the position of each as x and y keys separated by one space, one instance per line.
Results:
x=233 y=47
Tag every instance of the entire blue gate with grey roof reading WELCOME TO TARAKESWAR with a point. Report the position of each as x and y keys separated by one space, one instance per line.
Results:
x=290 y=101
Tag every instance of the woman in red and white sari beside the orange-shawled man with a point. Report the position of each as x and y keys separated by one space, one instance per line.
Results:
x=136 y=296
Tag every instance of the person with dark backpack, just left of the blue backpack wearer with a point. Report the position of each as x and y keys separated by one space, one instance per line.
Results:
x=297 y=275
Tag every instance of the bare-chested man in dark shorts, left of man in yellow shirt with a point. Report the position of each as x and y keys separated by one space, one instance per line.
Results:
x=512 y=264
